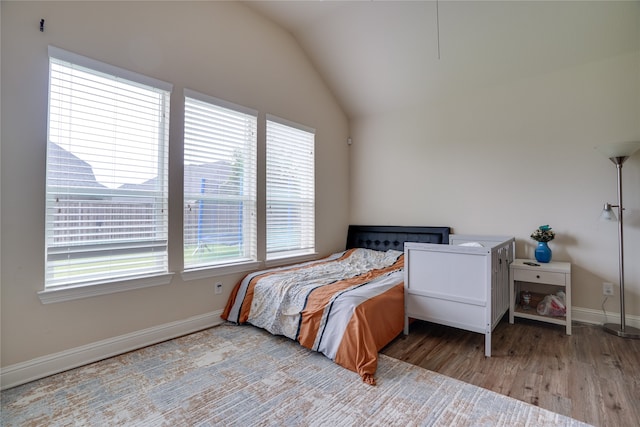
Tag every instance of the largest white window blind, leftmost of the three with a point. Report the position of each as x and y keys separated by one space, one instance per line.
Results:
x=106 y=190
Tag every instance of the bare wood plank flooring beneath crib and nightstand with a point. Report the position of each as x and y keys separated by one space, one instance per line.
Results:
x=591 y=376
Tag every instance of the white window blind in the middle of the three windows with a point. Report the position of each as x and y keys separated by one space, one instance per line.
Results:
x=219 y=182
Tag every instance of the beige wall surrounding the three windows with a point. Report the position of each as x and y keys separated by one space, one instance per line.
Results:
x=219 y=48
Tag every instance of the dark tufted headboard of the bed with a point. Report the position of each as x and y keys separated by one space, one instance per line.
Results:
x=384 y=237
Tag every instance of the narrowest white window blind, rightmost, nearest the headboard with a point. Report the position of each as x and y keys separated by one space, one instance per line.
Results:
x=290 y=189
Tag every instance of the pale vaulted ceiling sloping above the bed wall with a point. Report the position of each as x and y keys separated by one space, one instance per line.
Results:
x=378 y=56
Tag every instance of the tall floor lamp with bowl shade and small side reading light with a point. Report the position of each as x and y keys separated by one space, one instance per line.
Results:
x=618 y=153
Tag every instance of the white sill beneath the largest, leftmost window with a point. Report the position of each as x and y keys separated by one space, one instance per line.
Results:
x=73 y=292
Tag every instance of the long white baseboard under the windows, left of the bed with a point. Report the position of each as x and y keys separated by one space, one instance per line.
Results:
x=44 y=366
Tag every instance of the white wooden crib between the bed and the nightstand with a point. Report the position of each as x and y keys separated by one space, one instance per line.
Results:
x=464 y=284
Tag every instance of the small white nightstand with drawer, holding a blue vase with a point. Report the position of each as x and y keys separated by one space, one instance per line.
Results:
x=540 y=280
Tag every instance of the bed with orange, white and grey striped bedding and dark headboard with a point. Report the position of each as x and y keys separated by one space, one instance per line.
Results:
x=347 y=306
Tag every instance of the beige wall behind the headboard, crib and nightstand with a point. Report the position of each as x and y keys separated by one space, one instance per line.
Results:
x=508 y=158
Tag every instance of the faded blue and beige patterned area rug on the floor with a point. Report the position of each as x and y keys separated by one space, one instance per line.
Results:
x=241 y=376
